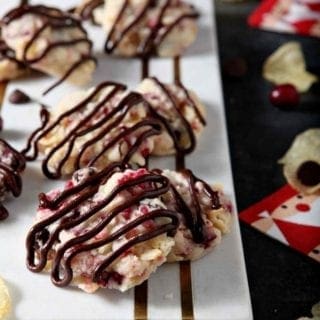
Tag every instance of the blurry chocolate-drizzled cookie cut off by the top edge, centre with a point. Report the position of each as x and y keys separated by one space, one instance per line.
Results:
x=148 y=27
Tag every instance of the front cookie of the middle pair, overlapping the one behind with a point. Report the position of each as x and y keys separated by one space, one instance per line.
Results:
x=95 y=128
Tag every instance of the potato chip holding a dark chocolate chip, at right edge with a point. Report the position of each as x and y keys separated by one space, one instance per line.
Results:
x=302 y=162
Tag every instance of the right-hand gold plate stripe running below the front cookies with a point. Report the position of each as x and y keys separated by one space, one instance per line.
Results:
x=186 y=291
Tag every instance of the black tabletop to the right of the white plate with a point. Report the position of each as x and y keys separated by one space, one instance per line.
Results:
x=283 y=283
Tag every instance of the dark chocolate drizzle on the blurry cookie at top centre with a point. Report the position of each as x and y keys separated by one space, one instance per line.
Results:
x=157 y=33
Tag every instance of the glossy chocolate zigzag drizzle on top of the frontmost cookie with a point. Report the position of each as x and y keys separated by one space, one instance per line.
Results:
x=66 y=215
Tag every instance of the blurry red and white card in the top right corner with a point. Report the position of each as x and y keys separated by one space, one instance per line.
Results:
x=293 y=16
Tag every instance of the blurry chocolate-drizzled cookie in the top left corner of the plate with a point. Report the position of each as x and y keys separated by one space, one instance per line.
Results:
x=51 y=41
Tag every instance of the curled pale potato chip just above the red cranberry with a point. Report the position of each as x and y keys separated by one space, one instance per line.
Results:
x=287 y=65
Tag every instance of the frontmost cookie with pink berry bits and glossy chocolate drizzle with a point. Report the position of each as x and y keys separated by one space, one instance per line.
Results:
x=107 y=230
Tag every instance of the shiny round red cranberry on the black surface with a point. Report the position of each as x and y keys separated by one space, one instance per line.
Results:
x=284 y=96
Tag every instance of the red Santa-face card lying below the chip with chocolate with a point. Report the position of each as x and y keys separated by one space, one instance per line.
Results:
x=290 y=217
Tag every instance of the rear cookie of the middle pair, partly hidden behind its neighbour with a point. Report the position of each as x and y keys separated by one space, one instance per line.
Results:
x=182 y=113
